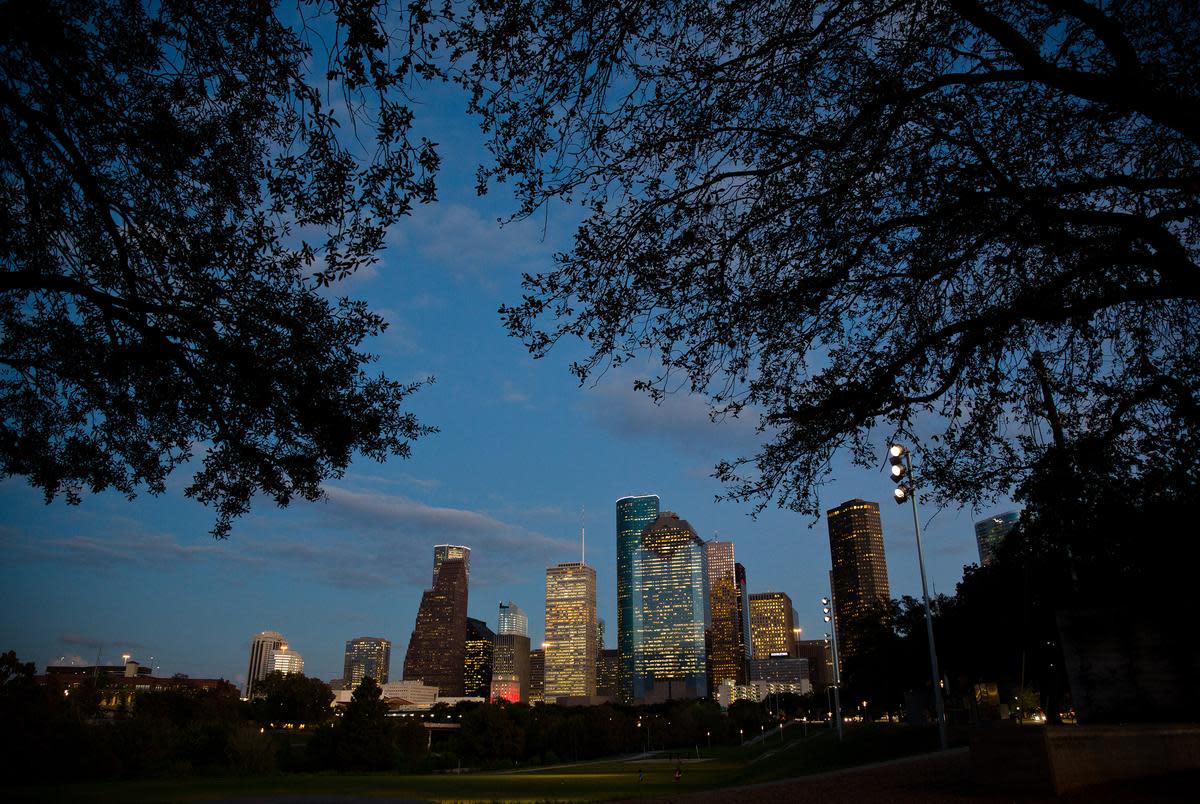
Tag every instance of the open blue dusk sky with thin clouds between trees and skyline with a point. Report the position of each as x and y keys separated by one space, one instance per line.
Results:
x=521 y=453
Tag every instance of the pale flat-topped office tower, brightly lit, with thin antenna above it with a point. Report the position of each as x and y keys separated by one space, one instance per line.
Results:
x=571 y=631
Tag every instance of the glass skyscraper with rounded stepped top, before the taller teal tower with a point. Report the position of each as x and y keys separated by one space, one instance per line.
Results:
x=670 y=613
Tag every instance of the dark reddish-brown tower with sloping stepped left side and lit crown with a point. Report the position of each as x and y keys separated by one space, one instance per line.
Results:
x=437 y=650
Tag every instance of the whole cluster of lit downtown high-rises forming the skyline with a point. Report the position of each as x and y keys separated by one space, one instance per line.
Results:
x=687 y=625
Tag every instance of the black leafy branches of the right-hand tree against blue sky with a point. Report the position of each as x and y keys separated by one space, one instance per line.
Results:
x=945 y=220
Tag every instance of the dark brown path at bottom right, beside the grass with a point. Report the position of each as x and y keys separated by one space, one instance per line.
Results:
x=943 y=778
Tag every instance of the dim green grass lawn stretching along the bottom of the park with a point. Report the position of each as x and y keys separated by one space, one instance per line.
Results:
x=586 y=782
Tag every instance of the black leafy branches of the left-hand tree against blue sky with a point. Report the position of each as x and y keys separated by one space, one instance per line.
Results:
x=179 y=181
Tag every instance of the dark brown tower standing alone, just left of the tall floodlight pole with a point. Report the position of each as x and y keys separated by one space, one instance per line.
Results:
x=860 y=571
